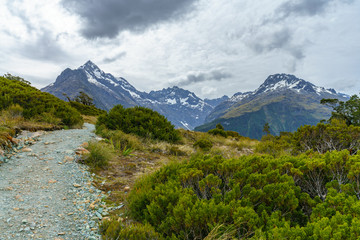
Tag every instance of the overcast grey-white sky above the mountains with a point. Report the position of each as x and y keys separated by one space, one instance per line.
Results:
x=210 y=47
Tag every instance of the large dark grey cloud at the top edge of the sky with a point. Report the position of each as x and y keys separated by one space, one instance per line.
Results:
x=107 y=18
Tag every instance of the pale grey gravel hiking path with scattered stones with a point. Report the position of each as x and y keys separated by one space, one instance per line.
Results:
x=45 y=194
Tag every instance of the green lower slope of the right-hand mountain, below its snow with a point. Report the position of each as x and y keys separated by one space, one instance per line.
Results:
x=284 y=113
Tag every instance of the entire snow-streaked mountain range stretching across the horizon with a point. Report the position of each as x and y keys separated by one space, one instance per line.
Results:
x=283 y=100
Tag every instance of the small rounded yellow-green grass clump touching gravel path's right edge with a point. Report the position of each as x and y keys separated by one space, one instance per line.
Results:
x=100 y=155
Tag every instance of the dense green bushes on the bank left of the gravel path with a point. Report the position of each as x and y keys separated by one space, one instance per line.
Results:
x=36 y=103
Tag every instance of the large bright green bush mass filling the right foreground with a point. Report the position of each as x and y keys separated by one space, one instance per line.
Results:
x=311 y=196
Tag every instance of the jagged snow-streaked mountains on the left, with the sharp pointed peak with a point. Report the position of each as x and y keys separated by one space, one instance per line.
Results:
x=183 y=108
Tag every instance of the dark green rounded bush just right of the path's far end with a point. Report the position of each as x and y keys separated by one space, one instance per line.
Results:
x=141 y=121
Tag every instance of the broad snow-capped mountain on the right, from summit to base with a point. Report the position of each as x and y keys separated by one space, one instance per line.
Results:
x=284 y=101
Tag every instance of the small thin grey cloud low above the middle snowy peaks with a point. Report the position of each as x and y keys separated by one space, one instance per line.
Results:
x=216 y=75
